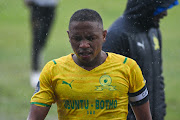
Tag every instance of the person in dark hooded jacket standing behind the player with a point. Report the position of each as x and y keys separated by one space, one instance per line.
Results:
x=136 y=35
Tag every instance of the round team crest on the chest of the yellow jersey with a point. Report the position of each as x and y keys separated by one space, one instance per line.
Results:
x=105 y=81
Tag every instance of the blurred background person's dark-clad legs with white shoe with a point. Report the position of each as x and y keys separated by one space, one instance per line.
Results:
x=42 y=16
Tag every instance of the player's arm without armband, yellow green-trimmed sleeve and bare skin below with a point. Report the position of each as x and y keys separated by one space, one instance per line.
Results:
x=44 y=95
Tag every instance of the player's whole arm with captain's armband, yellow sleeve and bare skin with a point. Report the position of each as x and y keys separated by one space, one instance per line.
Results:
x=138 y=93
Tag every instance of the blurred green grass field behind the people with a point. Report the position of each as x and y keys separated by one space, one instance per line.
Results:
x=15 y=52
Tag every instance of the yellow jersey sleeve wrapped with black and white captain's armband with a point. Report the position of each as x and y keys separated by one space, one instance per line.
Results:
x=138 y=93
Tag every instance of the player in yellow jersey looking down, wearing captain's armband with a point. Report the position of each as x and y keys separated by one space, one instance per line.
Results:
x=89 y=83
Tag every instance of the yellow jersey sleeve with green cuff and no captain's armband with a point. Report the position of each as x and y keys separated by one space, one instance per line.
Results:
x=44 y=93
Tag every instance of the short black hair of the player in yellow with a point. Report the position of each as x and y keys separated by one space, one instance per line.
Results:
x=86 y=15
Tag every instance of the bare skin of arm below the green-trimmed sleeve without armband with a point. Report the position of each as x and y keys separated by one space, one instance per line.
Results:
x=37 y=112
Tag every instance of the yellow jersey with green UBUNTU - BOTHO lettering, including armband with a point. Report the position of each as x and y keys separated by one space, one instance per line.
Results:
x=101 y=93
